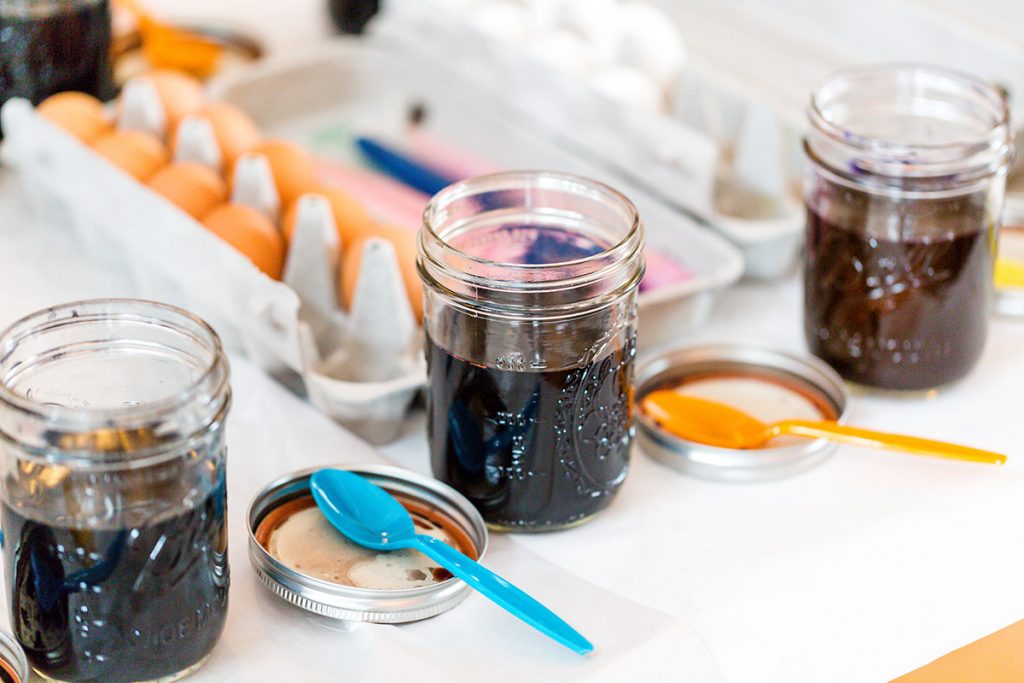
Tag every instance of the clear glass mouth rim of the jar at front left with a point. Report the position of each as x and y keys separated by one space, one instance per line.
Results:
x=21 y=329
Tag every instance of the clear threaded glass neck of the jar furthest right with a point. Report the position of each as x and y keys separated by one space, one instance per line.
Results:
x=909 y=129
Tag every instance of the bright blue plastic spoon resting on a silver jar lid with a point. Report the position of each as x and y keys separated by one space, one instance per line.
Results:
x=370 y=517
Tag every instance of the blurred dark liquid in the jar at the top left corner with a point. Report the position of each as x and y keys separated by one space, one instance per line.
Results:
x=51 y=48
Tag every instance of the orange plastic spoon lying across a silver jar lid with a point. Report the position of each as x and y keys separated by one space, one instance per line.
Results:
x=717 y=424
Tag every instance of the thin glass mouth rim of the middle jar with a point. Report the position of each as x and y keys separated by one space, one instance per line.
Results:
x=467 y=187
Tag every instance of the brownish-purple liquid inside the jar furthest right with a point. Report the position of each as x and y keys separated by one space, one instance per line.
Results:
x=892 y=313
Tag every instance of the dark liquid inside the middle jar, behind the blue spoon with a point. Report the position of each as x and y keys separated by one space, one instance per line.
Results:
x=532 y=450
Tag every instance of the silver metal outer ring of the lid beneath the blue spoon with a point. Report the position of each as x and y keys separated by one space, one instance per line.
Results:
x=360 y=605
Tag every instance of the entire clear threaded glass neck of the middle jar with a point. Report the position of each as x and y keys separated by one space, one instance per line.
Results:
x=530 y=244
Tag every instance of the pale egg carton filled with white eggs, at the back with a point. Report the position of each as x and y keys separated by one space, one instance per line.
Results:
x=710 y=151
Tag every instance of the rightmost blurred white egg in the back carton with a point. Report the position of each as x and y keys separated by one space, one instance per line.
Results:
x=652 y=41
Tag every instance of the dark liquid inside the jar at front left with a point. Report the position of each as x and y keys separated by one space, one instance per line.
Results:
x=120 y=605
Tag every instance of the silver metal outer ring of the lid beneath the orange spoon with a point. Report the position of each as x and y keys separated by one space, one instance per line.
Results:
x=809 y=374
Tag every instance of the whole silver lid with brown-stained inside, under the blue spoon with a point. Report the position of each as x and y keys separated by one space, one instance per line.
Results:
x=305 y=561
